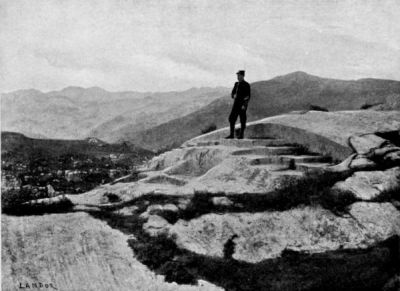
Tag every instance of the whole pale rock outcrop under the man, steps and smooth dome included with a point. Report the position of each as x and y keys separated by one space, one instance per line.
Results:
x=263 y=164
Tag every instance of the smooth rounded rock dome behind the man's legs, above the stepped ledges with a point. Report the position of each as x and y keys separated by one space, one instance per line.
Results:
x=323 y=132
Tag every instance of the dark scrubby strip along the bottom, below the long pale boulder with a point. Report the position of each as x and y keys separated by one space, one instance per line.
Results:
x=350 y=269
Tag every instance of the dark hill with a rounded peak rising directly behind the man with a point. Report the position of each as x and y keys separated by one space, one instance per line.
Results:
x=295 y=91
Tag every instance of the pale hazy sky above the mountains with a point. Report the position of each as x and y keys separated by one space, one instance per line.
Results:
x=173 y=45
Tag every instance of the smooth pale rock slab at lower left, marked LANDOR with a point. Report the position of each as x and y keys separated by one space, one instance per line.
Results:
x=74 y=251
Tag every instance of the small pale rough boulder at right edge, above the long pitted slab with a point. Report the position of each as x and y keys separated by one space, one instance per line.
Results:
x=369 y=185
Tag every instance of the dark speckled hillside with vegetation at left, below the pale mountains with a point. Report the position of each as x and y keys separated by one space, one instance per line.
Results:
x=35 y=169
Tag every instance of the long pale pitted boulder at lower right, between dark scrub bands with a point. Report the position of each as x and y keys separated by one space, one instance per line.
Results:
x=265 y=235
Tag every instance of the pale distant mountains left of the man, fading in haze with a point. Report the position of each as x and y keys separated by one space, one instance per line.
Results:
x=77 y=113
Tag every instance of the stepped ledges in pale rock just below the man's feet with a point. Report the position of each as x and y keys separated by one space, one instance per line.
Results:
x=259 y=158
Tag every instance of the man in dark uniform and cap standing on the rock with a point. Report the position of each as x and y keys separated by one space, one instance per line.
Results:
x=241 y=96
